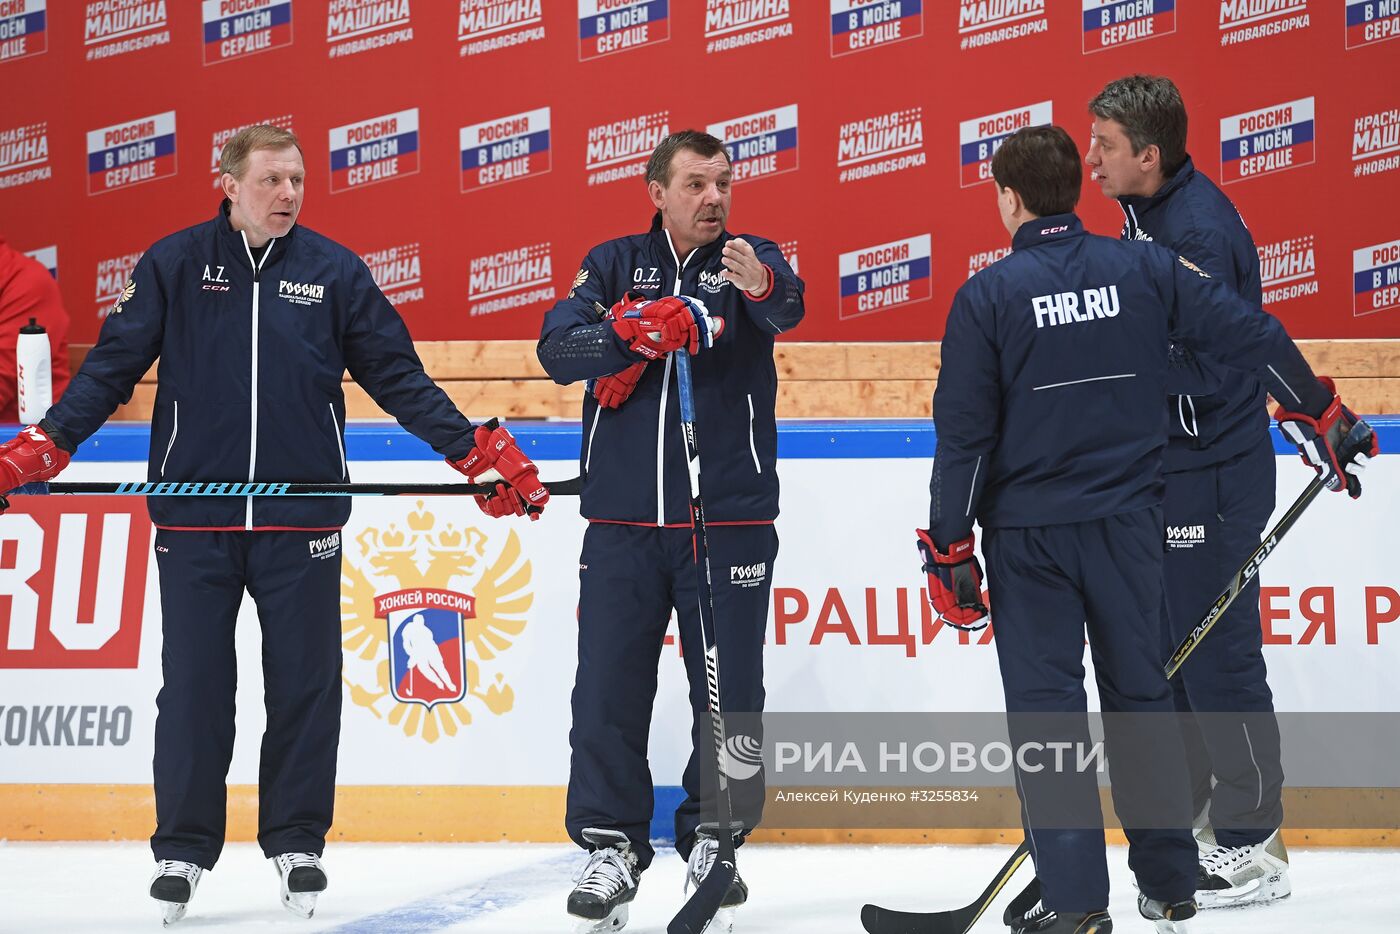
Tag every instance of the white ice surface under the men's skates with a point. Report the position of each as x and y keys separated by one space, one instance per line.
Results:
x=520 y=888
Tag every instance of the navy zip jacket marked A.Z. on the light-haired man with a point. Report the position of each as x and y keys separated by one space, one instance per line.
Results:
x=251 y=362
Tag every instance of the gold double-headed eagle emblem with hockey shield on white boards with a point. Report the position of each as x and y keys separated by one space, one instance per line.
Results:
x=429 y=613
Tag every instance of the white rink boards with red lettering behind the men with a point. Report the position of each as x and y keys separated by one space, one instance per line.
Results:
x=835 y=564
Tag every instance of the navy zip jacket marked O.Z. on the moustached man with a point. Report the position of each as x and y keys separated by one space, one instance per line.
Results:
x=633 y=457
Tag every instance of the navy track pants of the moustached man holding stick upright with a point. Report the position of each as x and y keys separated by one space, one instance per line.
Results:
x=631 y=579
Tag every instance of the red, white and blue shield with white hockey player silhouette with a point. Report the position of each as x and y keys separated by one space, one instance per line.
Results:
x=426 y=657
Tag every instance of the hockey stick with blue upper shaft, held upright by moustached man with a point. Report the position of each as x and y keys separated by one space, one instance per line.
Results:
x=701 y=908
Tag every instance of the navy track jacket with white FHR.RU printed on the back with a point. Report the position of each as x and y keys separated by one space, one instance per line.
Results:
x=1049 y=404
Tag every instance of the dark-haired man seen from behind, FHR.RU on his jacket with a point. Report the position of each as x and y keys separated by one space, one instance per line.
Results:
x=1051 y=436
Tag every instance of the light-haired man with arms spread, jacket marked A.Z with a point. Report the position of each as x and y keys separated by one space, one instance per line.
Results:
x=254 y=321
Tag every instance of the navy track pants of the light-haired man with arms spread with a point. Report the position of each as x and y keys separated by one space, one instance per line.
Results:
x=297 y=592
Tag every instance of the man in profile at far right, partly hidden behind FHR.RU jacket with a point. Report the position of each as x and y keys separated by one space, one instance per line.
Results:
x=1220 y=478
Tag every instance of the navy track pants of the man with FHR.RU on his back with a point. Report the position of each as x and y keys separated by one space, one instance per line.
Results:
x=1048 y=587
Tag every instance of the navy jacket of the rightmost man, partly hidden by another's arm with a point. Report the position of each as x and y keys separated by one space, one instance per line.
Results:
x=1216 y=412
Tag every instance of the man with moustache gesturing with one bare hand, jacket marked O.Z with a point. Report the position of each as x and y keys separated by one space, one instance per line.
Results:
x=638 y=562
